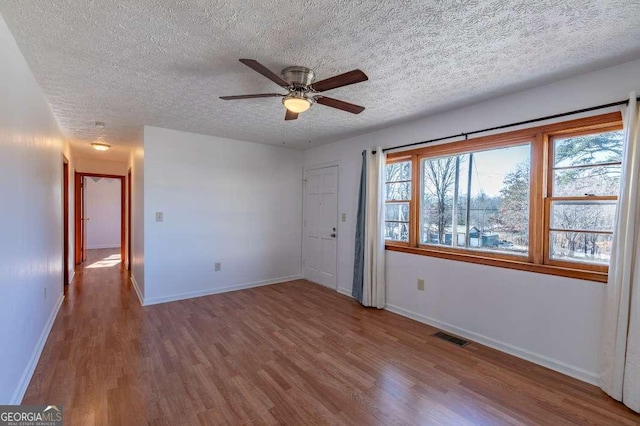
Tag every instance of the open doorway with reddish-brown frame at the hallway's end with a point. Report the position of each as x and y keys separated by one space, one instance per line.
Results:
x=99 y=223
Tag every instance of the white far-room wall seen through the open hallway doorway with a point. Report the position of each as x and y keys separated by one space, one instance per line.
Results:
x=102 y=204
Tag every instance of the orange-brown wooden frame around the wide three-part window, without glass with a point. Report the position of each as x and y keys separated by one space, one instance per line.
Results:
x=540 y=139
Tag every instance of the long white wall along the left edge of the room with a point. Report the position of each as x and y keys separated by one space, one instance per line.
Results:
x=31 y=227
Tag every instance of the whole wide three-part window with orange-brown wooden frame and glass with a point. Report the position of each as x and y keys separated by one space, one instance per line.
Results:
x=541 y=199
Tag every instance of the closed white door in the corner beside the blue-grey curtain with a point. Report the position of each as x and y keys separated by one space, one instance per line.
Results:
x=320 y=226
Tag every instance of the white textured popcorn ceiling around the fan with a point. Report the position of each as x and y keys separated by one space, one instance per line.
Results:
x=164 y=63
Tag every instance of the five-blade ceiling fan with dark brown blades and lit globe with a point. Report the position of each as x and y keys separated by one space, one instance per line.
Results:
x=302 y=88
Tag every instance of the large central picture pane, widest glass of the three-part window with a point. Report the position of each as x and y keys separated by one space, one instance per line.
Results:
x=497 y=207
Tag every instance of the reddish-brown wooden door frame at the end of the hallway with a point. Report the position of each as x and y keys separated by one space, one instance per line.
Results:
x=79 y=222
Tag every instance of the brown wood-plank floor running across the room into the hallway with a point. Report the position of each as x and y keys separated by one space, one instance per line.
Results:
x=292 y=353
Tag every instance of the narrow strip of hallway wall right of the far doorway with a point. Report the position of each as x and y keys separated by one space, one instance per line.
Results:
x=136 y=164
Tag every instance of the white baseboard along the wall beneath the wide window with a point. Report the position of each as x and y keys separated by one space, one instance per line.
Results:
x=545 y=361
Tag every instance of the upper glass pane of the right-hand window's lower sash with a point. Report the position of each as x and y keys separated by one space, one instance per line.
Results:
x=583 y=215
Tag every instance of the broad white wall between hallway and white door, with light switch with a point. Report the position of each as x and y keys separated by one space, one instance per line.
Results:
x=223 y=200
